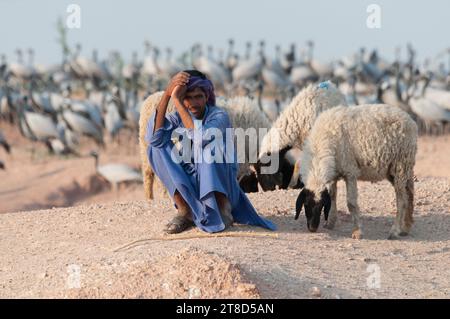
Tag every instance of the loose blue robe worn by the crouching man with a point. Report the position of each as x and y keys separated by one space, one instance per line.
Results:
x=197 y=180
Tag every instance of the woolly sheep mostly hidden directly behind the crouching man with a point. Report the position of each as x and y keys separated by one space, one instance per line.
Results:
x=244 y=113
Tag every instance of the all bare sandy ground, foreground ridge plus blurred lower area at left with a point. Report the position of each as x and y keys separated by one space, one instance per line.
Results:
x=70 y=252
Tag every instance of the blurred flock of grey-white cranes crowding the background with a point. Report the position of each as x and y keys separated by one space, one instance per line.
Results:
x=56 y=104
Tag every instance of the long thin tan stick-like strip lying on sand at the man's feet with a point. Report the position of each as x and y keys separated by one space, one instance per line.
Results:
x=191 y=236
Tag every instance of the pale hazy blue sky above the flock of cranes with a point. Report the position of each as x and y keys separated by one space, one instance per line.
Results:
x=337 y=27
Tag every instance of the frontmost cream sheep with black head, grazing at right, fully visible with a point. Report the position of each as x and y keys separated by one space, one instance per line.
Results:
x=366 y=142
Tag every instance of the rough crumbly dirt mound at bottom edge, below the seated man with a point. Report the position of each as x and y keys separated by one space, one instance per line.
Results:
x=190 y=273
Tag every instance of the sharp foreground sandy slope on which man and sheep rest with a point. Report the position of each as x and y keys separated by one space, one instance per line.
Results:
x=39 y=250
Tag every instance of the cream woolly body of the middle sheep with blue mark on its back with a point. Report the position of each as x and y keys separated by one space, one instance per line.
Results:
x=294 y=123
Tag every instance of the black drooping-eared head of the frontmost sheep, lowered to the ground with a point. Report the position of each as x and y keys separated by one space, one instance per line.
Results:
x=313 y=208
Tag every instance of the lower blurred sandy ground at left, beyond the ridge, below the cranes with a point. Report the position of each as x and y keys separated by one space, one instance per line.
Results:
x=34 y=179
